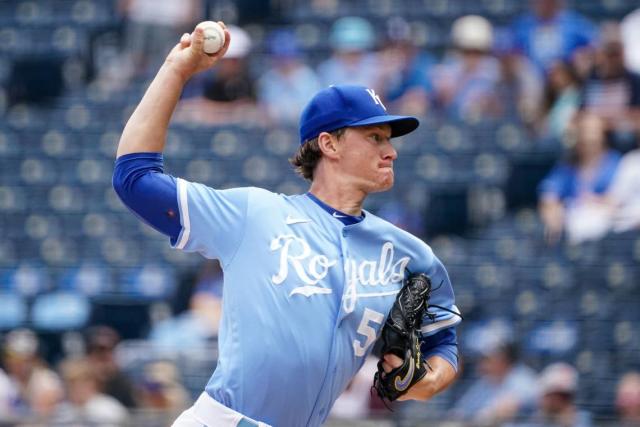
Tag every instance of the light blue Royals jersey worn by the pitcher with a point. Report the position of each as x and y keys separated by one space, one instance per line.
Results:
x=304 y=298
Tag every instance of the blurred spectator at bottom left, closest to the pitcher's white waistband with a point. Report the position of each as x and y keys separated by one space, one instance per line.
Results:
x=161 y=389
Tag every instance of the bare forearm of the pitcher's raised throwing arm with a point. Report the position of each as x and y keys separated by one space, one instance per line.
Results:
x=146 y=130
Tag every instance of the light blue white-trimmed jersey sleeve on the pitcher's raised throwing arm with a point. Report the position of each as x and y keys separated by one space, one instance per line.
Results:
x=213 y=221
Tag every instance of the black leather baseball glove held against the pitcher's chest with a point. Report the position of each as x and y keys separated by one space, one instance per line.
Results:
x=401 y=337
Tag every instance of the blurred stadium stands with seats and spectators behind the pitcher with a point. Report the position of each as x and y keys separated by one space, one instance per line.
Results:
x=524 y=177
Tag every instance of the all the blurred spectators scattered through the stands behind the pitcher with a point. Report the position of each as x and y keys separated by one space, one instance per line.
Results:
x=571 y=82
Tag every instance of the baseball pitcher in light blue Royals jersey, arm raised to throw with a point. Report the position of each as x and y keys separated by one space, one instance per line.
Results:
x=311 y=280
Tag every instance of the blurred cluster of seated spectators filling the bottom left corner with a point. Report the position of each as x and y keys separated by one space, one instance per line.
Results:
x=87 y=388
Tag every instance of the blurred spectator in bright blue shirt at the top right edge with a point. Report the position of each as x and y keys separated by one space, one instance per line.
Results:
x=549 y=33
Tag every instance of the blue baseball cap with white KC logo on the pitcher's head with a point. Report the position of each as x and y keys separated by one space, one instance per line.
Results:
x=342 y=106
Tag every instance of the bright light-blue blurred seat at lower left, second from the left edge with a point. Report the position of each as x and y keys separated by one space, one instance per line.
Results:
x=60 y=311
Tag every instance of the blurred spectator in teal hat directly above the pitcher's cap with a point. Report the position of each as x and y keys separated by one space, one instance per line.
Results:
x=353 y=61
